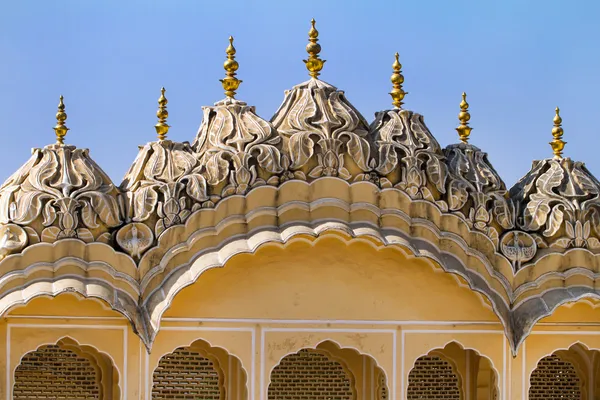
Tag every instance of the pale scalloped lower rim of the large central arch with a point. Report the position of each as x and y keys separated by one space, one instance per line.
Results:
x=155 y=304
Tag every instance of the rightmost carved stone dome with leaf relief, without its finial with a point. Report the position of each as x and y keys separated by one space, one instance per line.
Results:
x=558 y=203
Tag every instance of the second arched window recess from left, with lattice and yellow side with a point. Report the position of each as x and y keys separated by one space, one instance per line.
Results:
x=199 y=368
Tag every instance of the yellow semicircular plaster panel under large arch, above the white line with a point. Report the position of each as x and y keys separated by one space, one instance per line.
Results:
x=328 y=279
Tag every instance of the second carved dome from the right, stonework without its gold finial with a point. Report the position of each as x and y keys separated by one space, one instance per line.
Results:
x=476 y=191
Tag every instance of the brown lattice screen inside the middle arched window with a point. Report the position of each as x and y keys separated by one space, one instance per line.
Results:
x=310 y=375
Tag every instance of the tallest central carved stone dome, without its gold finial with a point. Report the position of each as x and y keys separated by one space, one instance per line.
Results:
x=323 y=134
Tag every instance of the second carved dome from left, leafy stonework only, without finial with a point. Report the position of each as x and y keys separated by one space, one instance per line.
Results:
x=162 y=187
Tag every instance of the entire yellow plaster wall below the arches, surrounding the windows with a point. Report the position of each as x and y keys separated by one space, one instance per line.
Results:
x=376 y=305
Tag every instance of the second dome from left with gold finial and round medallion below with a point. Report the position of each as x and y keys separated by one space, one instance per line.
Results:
x=162 y=188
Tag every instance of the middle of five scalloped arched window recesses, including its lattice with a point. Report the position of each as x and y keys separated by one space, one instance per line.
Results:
x=343 y=364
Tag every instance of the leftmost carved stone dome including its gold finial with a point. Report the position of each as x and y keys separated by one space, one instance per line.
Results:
x=59 y=193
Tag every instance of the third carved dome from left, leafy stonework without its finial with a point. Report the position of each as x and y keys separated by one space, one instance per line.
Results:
x=236 y=149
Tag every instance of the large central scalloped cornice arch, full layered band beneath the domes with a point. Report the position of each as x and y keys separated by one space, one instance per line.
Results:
x=241 y=224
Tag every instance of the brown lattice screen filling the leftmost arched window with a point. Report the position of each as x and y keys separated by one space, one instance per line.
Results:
x=52 y=373
